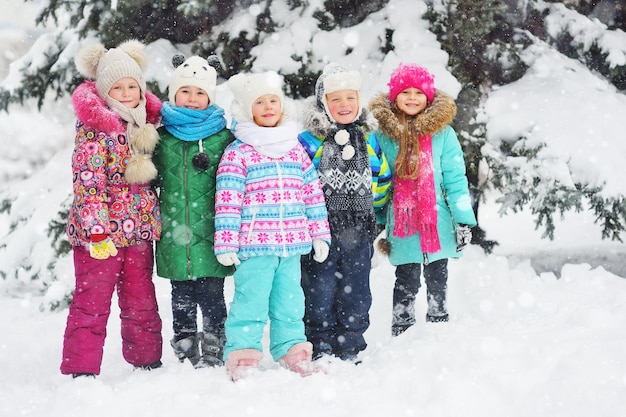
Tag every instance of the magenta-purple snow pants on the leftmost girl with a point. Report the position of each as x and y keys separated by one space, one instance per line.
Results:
x=131 y=271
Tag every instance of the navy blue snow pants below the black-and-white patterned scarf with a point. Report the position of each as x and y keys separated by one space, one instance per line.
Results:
x=338 y=298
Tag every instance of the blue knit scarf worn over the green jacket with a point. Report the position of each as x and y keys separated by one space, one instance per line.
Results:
x=190 y=125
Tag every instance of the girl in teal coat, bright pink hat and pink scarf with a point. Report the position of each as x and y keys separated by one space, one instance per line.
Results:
x=429 y=216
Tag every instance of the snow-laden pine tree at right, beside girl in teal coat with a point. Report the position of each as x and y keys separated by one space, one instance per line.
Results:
x=485 y=39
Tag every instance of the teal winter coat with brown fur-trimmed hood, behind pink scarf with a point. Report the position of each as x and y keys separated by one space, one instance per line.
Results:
x=453 y=199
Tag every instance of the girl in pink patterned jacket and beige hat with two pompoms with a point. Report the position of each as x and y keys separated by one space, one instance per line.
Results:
x=115 y=213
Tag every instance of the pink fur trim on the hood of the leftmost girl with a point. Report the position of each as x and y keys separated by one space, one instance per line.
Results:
x=92 y=110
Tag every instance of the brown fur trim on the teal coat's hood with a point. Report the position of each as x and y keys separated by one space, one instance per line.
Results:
x=436 y=116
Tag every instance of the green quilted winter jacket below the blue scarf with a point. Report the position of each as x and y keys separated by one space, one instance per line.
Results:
x=187 y=198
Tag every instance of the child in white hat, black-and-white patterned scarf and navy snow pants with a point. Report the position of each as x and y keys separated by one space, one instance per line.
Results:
x=355 y=177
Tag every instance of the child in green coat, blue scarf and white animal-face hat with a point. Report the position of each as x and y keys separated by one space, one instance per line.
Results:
x=193 y=139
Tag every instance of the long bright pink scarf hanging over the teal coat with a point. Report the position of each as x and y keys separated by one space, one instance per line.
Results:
x=415 y=202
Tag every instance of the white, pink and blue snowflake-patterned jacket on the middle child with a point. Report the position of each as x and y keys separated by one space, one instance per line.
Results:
x=268 y=206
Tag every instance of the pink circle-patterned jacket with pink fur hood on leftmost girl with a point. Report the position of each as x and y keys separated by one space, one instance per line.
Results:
x=104 y=203
